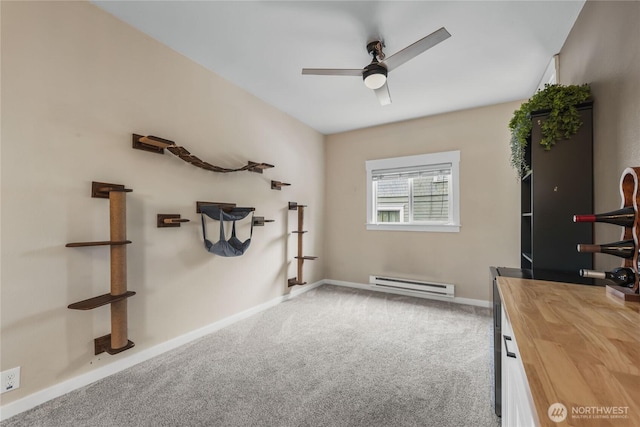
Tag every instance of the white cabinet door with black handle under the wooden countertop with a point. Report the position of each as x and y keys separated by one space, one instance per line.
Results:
x=517 y=404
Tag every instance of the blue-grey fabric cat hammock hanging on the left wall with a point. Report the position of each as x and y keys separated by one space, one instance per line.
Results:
x=227 y=248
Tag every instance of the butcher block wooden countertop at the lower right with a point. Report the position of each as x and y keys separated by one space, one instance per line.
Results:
x=579 y=347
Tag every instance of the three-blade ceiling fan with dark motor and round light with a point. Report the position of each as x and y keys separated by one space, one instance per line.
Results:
x=375 y=74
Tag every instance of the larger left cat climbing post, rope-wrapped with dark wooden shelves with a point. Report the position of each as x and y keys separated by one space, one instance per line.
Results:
x=117 y=341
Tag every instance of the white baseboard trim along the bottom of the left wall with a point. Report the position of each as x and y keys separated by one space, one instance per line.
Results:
x=40 y=397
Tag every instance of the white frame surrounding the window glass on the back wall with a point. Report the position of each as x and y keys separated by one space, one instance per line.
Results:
x=451 y=157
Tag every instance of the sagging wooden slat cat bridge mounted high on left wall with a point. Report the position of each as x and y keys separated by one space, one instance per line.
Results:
x=157 y=145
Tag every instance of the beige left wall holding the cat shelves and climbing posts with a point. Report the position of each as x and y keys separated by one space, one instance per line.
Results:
x=76 y=83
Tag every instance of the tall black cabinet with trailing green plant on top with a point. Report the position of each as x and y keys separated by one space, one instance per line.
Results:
x=559 y=185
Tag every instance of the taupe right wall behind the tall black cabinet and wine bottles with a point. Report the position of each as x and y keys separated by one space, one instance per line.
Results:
x=602 y=49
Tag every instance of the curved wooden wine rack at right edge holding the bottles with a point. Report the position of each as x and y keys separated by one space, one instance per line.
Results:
x=630 y=194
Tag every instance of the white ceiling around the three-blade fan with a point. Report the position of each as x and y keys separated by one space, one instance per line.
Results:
x=498 y=51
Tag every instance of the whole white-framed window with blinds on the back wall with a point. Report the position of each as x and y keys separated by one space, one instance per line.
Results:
x=414 y=193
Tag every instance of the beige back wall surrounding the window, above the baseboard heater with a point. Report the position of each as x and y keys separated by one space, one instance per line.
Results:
x=489 y=208
